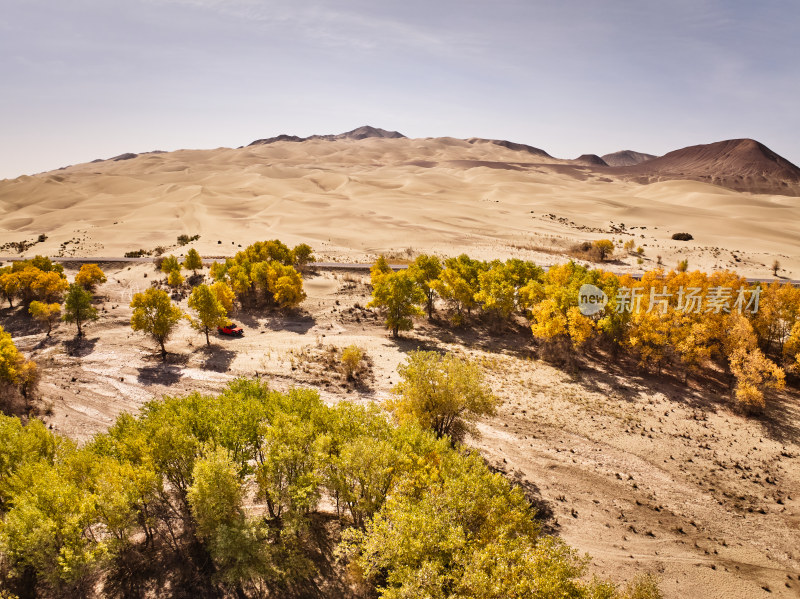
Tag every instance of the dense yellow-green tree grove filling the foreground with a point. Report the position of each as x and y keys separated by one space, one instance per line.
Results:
x=169 y=485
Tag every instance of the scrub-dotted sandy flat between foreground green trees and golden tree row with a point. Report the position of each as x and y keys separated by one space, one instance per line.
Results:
x=638 y=471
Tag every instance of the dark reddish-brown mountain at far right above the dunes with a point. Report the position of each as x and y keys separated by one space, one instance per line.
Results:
x=740 y=164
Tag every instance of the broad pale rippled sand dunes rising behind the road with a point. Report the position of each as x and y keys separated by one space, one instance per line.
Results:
x=354 y=198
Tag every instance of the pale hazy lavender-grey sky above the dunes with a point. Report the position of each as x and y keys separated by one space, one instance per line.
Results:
x=85 y=79
